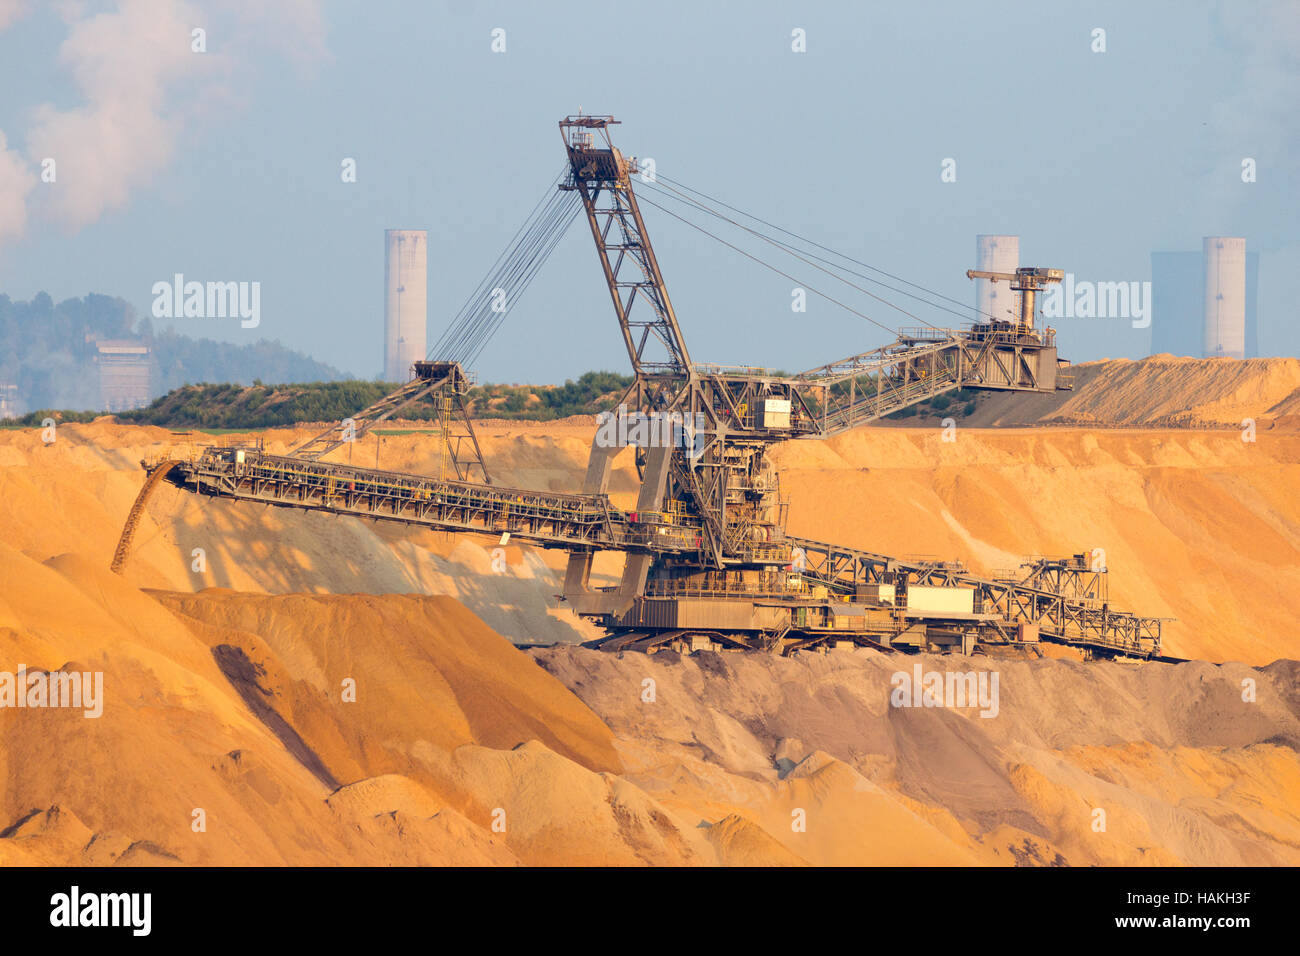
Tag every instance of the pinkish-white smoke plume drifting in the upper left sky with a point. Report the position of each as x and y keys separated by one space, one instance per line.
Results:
x=141 y=85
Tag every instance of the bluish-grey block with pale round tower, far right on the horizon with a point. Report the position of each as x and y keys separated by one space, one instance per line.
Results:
x=1184 y=319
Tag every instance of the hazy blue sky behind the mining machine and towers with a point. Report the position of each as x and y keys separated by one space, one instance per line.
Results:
x=226 y=166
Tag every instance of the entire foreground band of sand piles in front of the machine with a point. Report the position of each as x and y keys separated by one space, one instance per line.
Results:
x=460 y=750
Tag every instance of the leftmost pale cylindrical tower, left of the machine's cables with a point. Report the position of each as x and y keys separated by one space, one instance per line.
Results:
x=406 y=284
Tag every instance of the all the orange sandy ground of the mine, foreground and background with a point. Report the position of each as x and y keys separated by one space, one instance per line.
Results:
x=226 y=686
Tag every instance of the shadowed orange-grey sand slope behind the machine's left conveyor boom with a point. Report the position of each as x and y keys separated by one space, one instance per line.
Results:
x=73 y=496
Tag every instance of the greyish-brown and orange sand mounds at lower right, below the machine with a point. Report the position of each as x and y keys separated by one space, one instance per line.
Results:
x=1185 y=771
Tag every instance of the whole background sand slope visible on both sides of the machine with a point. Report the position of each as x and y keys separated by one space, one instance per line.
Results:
x=1197 y=525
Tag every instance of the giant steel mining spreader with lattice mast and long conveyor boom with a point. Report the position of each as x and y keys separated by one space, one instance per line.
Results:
x=708 y=557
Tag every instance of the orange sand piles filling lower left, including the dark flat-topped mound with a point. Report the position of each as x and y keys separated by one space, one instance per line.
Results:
x=231 y=710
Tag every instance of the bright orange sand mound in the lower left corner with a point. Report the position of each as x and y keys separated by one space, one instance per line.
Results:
x=150 y=765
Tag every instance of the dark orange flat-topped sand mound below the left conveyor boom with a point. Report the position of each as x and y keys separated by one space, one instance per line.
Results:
x=422 y=669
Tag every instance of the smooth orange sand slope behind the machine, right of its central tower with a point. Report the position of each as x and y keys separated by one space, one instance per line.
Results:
x=1195 y=525
